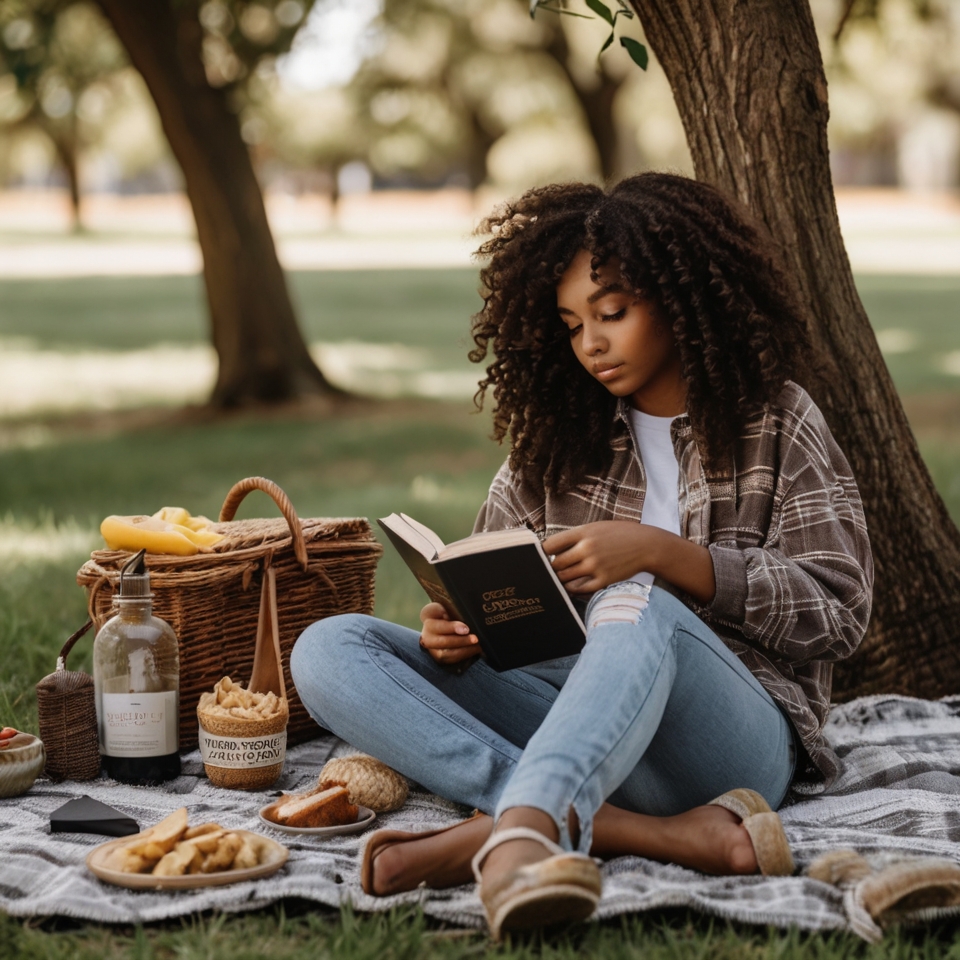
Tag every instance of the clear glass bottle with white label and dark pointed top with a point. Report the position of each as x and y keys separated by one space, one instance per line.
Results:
x=136 y=675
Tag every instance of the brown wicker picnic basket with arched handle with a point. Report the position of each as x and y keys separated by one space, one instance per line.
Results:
x=323 y=566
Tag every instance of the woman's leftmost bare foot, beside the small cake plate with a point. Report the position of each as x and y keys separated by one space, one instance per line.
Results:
x=440 y=861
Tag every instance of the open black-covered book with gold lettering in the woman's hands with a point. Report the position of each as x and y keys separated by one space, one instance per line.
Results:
x=500 y=584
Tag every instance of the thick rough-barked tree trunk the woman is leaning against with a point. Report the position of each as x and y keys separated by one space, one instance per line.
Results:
x=749 y=83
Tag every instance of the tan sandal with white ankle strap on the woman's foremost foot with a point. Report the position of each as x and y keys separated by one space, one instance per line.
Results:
x=563 y=888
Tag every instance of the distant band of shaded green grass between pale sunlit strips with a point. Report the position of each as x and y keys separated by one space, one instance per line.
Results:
x=426 y=309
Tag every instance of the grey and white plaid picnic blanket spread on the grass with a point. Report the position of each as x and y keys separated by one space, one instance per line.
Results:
x=898 y=796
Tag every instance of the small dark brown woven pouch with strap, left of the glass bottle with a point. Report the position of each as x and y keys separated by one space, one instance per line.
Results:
x=67 y=711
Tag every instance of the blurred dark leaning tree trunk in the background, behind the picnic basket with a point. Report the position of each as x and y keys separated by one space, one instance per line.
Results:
x=263 y=357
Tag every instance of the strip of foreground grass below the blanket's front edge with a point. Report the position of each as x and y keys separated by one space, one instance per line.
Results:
x=305 y=933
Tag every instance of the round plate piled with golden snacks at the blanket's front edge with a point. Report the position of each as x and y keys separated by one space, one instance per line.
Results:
x=175 y=856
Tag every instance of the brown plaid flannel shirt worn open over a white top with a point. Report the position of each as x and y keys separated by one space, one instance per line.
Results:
x=785 y=528
